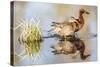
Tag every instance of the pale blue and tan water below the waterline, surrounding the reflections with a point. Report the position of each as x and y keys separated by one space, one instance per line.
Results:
x=47 y=57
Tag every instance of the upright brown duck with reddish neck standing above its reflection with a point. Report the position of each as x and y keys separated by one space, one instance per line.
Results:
x=69 y=28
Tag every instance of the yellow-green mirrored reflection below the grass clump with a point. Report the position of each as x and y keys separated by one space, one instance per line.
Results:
x=32 y=48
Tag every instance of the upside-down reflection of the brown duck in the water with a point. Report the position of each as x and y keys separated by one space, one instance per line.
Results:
x=73 y=46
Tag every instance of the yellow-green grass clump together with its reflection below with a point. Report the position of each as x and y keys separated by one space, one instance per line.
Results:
x=31 y=37
